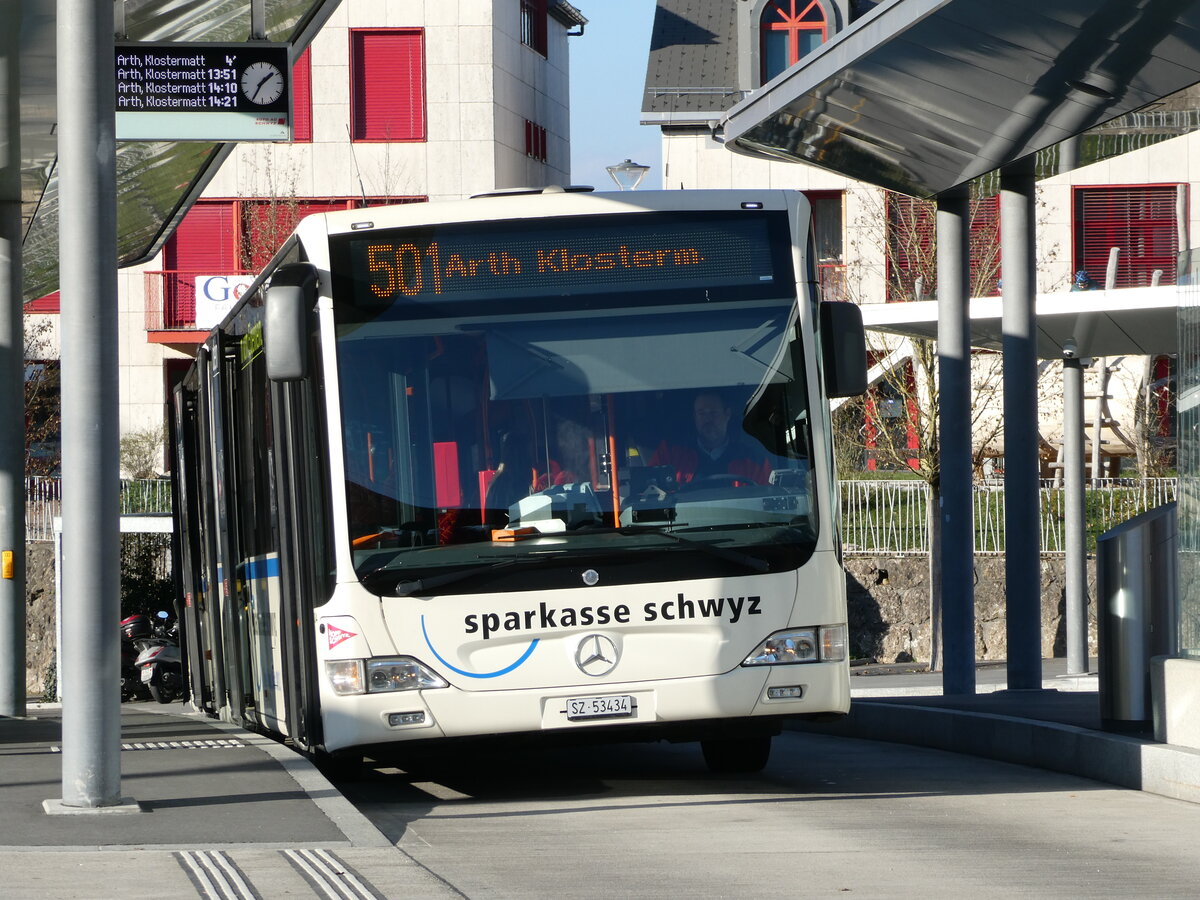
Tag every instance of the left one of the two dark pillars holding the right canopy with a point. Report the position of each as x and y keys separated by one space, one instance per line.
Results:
x=955 y=439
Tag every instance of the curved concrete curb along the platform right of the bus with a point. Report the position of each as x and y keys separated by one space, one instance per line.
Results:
x=1114 y=759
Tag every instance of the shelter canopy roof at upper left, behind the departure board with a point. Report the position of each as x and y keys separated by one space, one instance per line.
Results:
x=157 y=182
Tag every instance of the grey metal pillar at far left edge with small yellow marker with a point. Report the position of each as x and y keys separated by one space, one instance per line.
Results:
x=13 y=395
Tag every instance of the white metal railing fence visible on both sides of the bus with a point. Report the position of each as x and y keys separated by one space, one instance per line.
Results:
x=878 y=518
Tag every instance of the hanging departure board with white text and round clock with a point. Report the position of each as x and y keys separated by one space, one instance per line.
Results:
x=202 y=92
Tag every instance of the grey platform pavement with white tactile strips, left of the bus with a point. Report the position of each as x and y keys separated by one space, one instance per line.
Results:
x=226 y=814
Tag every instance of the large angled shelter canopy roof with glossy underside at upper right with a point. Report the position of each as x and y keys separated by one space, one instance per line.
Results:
x=922 y=95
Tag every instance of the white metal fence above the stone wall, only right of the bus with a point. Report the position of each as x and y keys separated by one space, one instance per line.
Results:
x=892 y=518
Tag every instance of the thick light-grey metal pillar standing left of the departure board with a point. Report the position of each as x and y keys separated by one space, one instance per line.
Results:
x=92 y=703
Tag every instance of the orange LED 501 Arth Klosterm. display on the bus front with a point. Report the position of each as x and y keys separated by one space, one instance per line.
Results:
x=559 y=257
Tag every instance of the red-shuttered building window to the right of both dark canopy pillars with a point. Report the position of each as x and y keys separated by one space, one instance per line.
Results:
x=1141 y=223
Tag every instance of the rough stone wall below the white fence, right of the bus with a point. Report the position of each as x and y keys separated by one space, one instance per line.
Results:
x=889 y=602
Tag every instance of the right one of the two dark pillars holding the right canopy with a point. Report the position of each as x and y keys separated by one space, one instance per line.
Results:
x=1023 y=563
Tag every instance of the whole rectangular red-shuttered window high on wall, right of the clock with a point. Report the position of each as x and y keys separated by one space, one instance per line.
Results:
x=388 y=86
